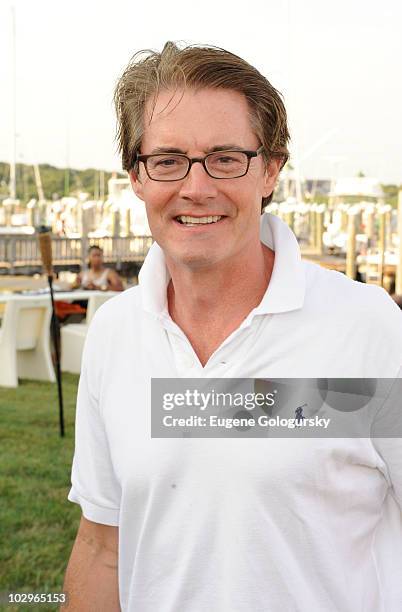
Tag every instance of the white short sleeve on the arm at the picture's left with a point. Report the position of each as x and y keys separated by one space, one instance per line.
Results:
x=94 y=484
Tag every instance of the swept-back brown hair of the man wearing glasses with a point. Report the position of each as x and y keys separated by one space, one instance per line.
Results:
x=196 y=67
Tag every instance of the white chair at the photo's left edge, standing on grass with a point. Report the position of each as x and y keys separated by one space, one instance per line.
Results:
x=25 y=341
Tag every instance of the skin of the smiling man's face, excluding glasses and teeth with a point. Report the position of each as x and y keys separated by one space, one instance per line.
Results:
x=195 y=123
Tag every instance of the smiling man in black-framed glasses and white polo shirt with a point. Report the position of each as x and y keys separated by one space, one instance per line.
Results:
x=226 y=525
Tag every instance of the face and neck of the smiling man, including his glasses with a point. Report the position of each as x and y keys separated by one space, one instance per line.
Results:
x=203 y=182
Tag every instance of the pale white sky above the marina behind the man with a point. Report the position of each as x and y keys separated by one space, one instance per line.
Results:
x=335 y=62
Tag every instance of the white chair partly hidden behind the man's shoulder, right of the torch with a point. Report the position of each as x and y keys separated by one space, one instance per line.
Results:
x=73 y=335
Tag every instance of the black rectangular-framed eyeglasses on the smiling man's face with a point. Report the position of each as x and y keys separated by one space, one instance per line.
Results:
x=176 y=166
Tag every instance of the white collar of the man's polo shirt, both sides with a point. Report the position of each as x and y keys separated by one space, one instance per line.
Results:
x=286 y=288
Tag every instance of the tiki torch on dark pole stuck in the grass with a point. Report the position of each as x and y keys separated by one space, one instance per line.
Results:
x=45 y=245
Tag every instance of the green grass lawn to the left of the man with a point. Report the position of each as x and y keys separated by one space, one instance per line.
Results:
x=37 y=522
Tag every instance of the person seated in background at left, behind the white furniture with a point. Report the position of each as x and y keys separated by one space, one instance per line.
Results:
x=97 y=276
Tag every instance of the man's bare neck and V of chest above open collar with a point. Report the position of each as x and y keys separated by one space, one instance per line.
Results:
x=208 y=305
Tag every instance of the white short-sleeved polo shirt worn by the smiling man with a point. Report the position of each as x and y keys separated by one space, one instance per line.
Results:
x=240 y=525
